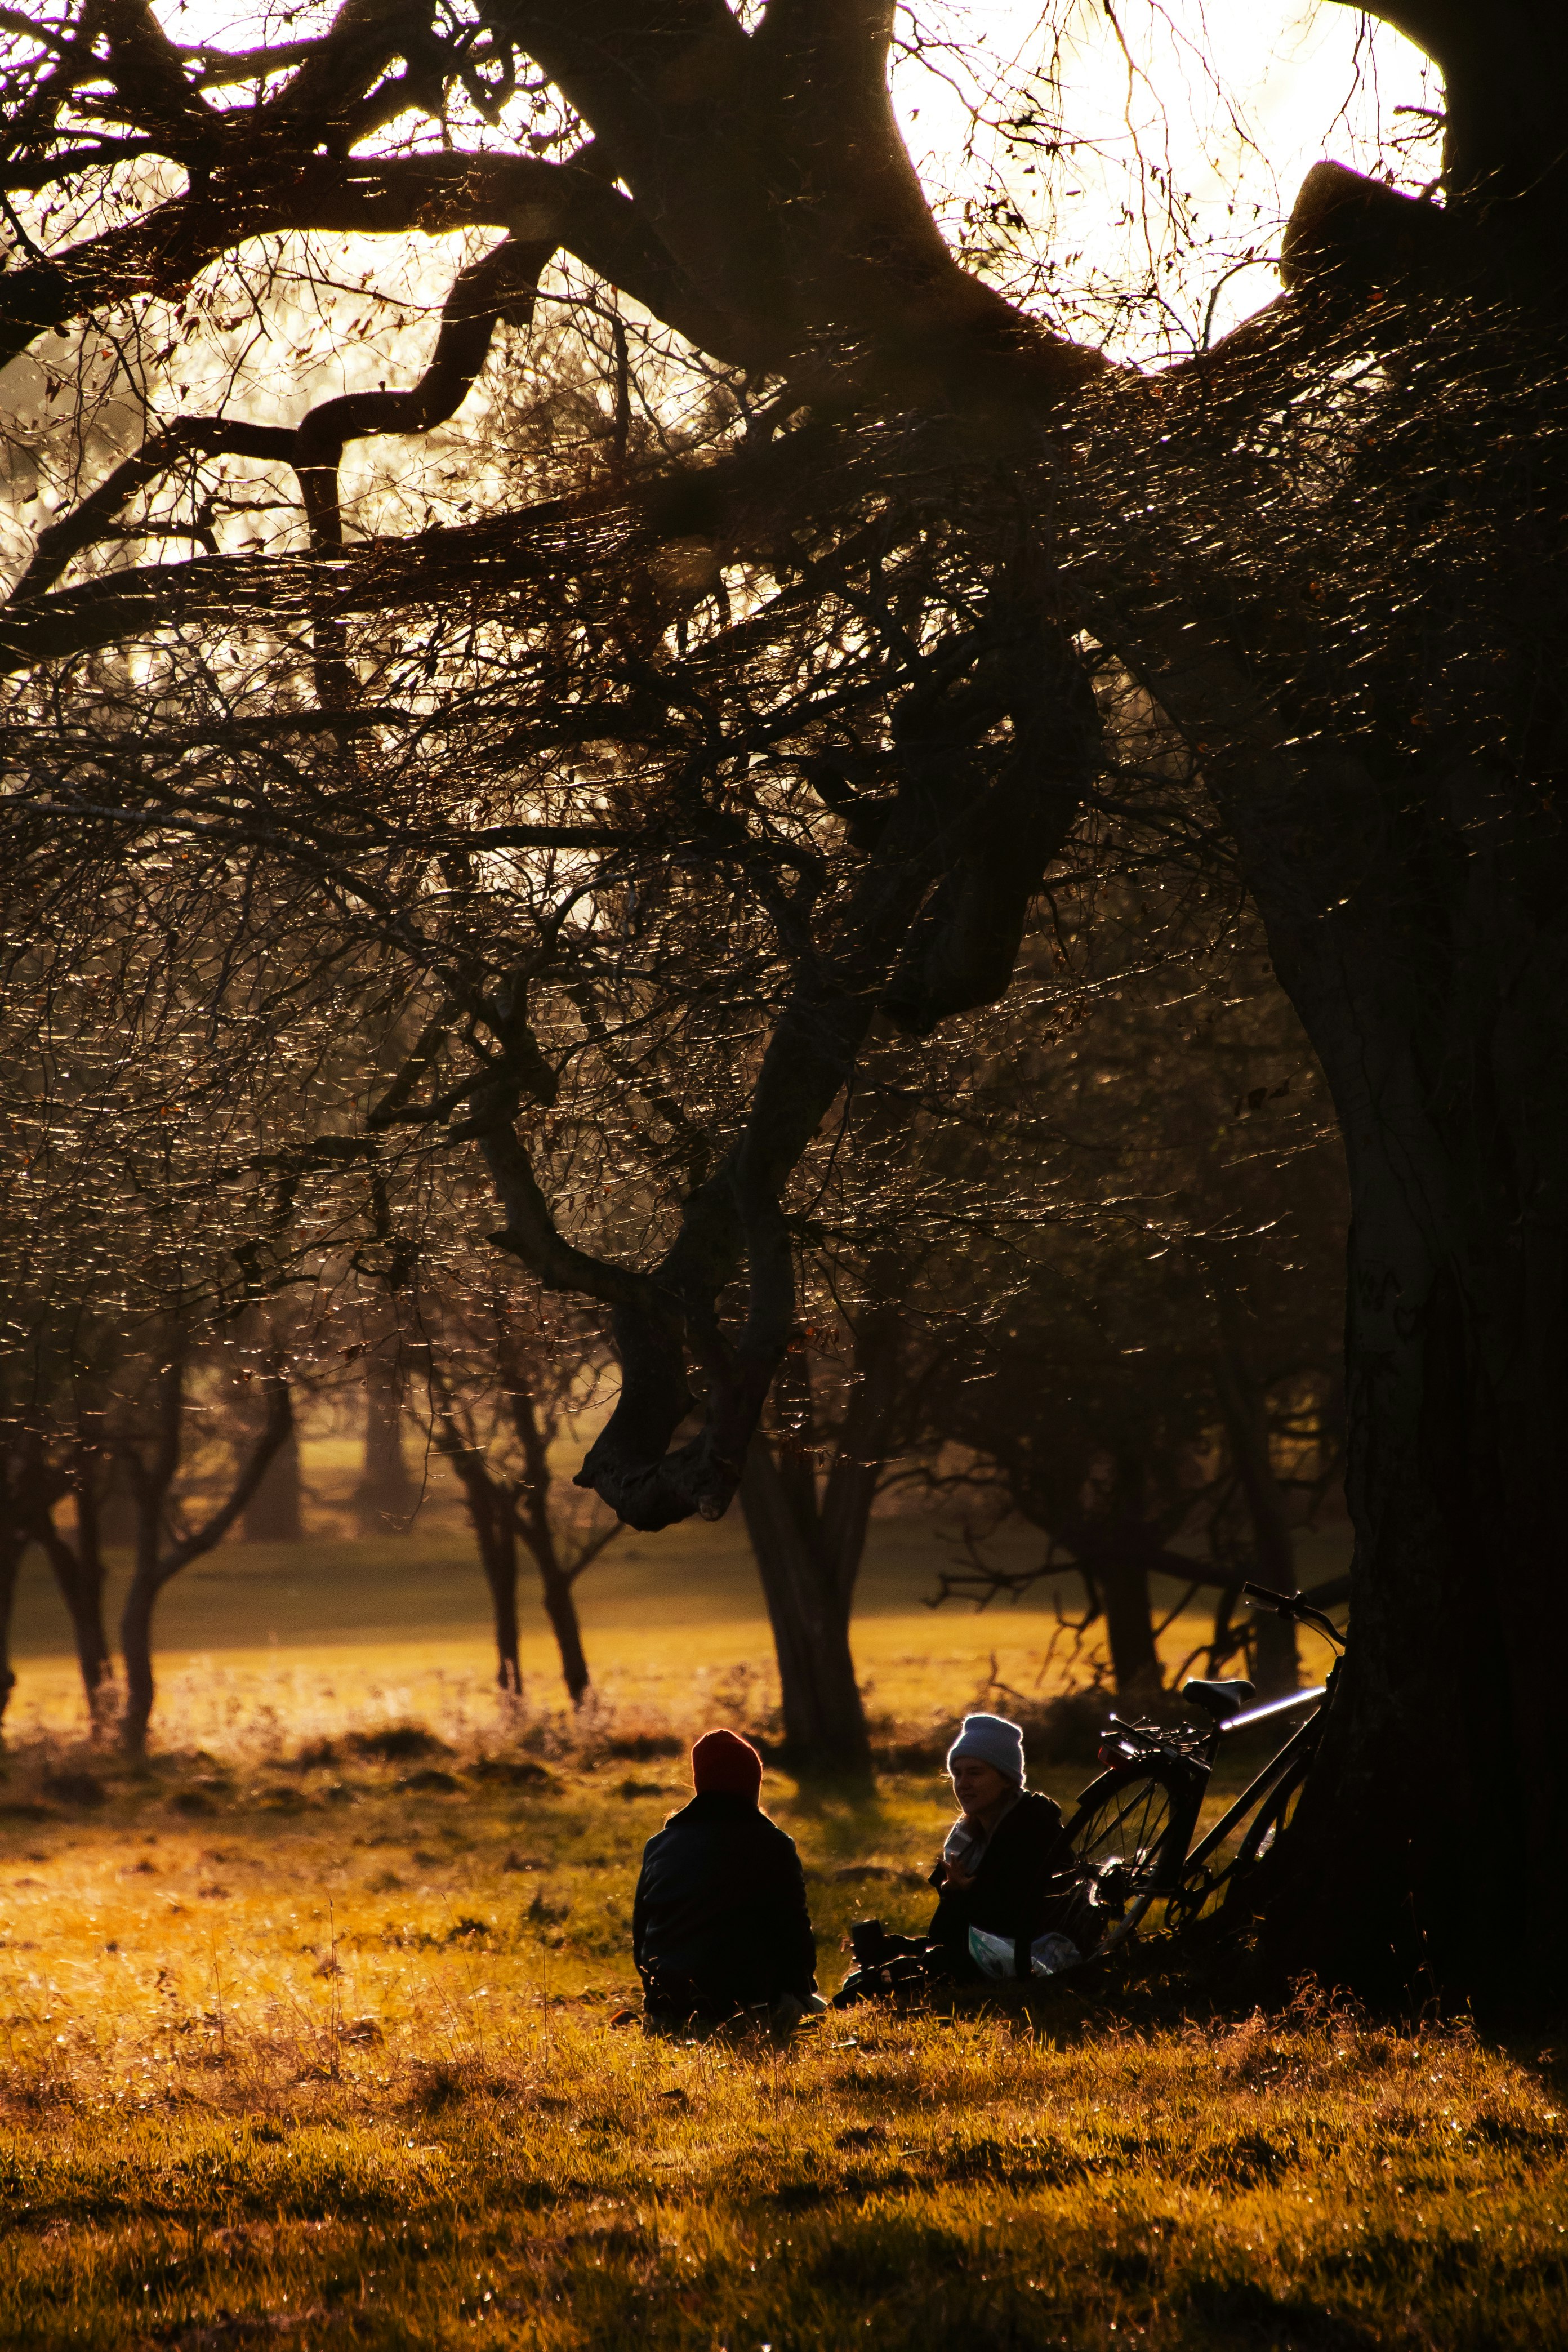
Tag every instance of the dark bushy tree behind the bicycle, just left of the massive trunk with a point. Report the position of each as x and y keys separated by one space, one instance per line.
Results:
x=1148 y=1384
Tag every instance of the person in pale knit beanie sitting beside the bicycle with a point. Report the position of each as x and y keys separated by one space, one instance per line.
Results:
x=1003 y=1850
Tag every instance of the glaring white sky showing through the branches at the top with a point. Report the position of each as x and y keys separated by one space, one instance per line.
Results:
x=1224 y=102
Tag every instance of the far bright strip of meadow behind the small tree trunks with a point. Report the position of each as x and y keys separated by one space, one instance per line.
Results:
x=326 y=1633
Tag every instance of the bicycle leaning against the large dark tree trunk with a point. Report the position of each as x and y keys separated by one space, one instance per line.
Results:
x=1132 y=1836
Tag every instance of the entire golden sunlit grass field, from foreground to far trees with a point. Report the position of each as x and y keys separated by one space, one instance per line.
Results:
x=311 y=2036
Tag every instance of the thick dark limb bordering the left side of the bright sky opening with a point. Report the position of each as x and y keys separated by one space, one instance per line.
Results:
x=791 y=199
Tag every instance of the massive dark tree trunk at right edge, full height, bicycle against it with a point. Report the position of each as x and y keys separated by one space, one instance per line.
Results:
x=1395 y=796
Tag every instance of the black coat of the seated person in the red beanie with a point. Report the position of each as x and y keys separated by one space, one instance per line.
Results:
x=721 y=1916
